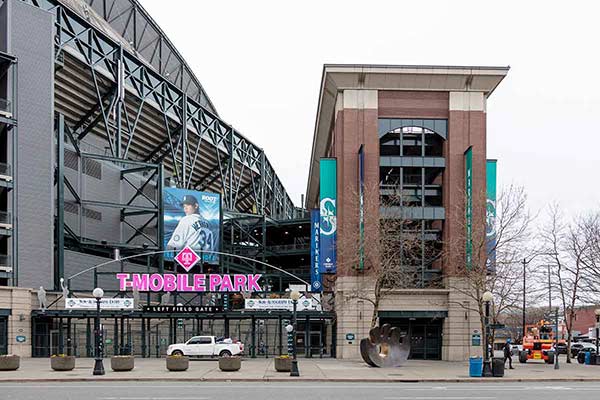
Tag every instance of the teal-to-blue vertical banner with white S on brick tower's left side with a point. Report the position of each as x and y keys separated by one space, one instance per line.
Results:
x=328 y=215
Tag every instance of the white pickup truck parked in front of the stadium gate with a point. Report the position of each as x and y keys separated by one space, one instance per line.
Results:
x=206 y=346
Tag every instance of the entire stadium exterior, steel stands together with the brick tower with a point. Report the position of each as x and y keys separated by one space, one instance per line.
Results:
x=100 y=117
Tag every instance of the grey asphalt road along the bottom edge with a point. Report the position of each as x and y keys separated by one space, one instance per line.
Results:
x=291 y=391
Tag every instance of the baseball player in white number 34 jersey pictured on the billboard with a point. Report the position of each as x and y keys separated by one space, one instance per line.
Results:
x=191 y=230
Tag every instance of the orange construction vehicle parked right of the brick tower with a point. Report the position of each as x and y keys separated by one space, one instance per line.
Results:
x=538 y=343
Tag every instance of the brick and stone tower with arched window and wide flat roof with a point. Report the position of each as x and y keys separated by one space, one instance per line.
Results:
x=414 y=126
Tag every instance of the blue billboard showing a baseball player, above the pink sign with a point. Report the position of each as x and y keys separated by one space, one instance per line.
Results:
x=193 y=219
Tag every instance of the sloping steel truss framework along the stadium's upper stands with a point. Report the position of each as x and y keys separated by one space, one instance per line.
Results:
x=107 y=89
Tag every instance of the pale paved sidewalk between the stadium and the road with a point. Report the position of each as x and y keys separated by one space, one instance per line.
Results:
x=325 y=370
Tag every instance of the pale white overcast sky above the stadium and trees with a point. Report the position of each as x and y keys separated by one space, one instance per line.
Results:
x=261 y=62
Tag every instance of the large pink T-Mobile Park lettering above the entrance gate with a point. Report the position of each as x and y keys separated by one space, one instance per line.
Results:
x=190 y=282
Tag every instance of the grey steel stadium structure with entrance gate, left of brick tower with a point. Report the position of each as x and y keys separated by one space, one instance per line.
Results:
x=99 y=115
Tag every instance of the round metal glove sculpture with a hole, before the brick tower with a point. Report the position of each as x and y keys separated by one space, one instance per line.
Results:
x=385 y=347
